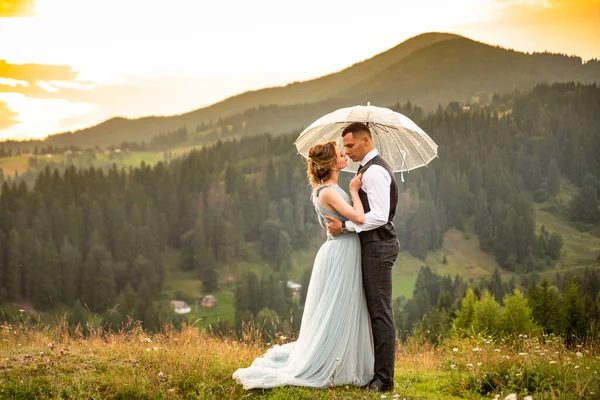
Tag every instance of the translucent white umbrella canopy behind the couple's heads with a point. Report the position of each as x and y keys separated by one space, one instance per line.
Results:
x=398 y=139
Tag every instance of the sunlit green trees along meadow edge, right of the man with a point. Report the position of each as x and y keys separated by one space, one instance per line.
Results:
x=567 y=305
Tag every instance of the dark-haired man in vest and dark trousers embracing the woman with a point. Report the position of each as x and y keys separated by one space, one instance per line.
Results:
x=379 y=246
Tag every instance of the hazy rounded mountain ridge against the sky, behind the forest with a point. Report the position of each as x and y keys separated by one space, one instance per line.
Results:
x=429 y=69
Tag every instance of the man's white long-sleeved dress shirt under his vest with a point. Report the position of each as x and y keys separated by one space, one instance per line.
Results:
x=376 y=182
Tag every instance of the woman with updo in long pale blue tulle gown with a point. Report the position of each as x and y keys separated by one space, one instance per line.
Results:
x=335 y=345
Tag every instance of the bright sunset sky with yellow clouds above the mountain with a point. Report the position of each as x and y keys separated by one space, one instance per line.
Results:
x=69 y=64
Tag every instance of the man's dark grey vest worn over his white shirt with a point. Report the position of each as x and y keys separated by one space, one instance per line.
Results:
x=387 y=231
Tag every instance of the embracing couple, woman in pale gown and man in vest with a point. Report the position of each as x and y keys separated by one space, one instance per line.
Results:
x=347 y=334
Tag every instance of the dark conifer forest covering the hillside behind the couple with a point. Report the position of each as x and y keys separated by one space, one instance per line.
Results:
x=96 y=236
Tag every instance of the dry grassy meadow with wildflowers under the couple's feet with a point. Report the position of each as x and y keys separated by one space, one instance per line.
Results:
x=44 y=362
